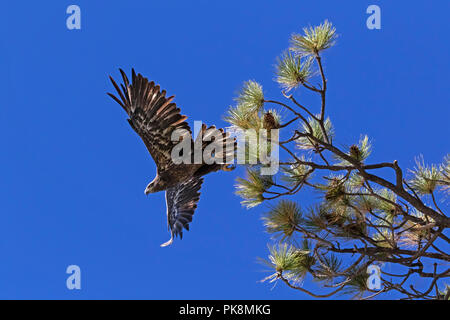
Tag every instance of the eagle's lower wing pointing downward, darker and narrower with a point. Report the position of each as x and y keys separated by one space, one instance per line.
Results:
x=181 y=202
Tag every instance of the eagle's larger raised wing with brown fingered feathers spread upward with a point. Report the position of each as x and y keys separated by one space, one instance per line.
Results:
x=153 y=116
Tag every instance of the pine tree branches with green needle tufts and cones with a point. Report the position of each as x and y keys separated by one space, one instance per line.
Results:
x=362 y=218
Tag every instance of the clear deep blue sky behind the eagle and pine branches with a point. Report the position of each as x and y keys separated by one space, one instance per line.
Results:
x=73 y=172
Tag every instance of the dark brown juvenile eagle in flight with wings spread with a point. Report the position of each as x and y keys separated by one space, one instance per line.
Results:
x=155 y=117
